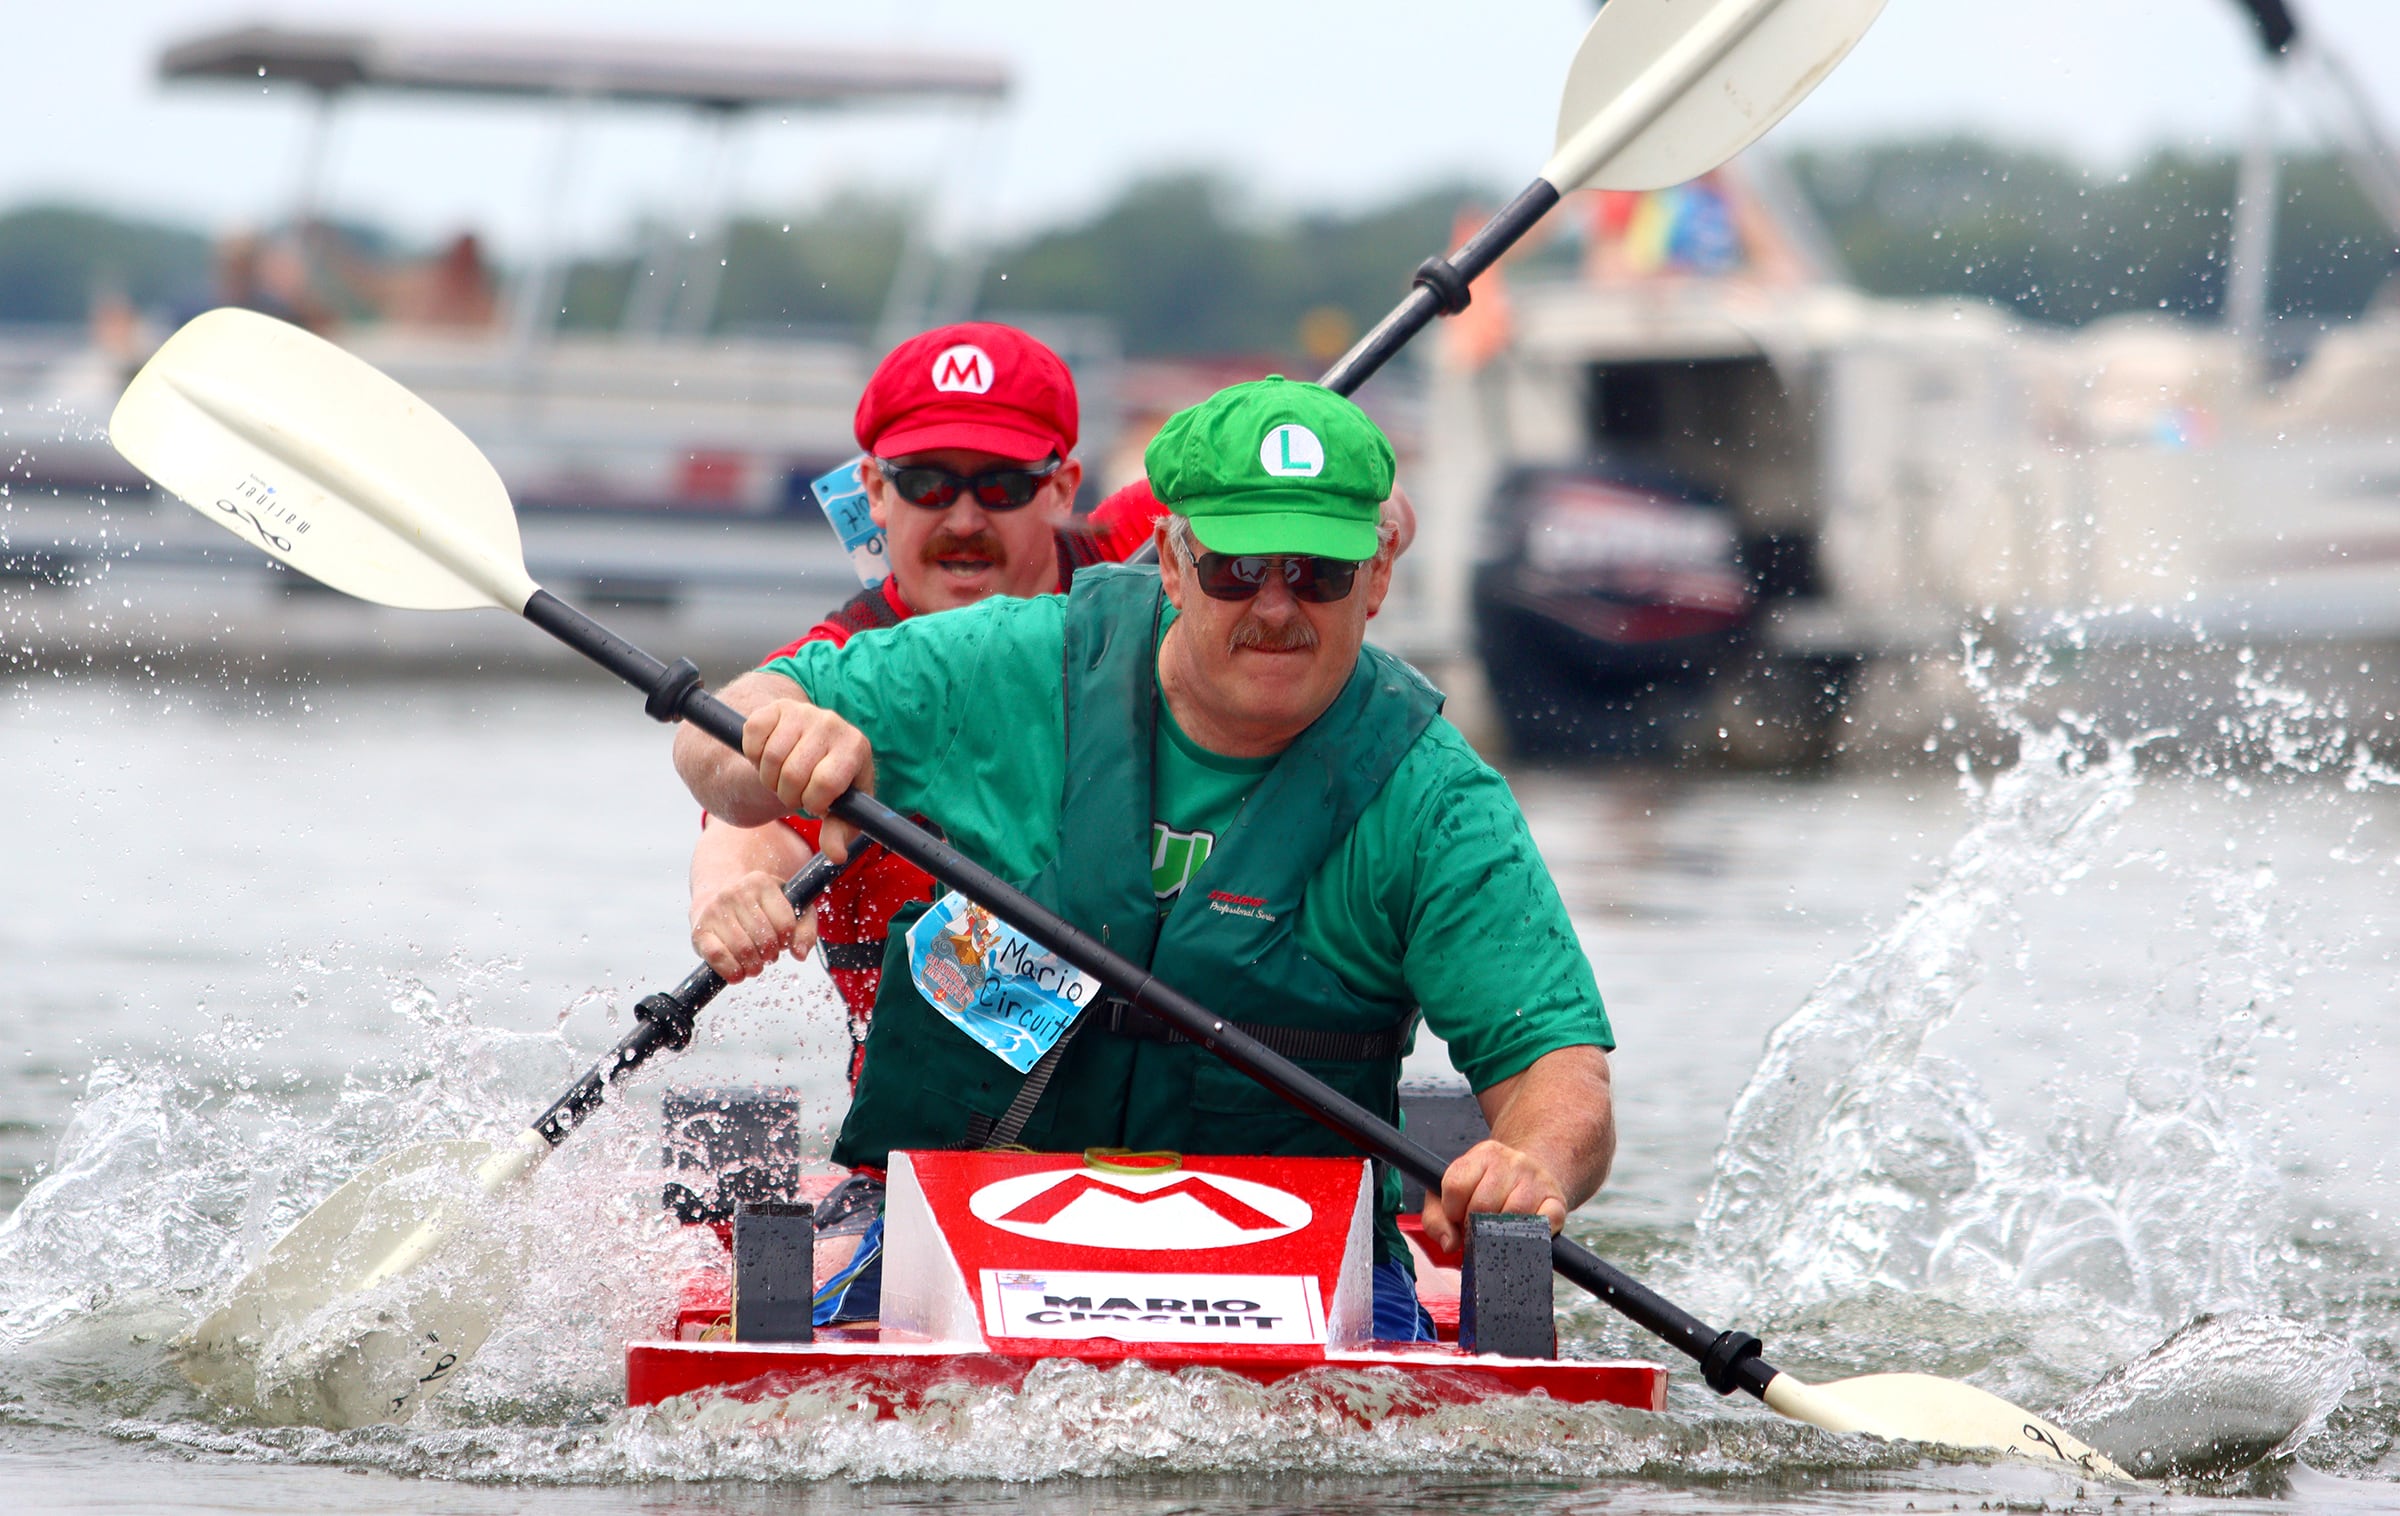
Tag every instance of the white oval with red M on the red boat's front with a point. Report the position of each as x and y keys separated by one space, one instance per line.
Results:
x=1141 y=1213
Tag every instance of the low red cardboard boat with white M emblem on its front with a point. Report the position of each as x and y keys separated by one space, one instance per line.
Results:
x=995 y=1263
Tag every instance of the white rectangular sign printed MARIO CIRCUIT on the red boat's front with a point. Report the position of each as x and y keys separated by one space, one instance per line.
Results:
x=1156 y=1309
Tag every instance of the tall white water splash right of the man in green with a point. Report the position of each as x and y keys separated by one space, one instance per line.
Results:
x=1859 y=1157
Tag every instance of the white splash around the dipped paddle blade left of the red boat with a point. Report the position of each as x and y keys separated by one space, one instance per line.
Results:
x=176 y=1179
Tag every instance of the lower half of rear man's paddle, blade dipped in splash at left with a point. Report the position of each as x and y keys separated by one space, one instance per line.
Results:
x=330 y=1332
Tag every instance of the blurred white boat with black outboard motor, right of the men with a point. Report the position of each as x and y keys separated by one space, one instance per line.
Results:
x=2168 y=503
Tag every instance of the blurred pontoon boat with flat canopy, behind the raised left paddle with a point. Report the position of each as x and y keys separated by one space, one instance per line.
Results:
x=659 y=464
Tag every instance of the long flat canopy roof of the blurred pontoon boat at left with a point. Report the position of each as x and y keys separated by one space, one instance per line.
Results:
x=568 y=66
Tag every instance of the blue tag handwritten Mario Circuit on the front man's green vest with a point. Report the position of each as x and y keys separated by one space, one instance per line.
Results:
x=992 y=982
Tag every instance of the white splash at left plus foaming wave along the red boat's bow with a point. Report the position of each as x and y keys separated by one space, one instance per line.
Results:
x=174 y=1179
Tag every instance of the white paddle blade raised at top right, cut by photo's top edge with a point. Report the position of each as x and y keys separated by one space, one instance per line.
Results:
x=1667 y=90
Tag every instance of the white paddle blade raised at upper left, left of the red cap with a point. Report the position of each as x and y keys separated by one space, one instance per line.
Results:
x=330 y=467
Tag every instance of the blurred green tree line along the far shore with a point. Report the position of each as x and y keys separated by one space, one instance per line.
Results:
x=1184 y=267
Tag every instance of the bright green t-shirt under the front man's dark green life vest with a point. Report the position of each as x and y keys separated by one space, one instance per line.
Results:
x=1436 y=898
